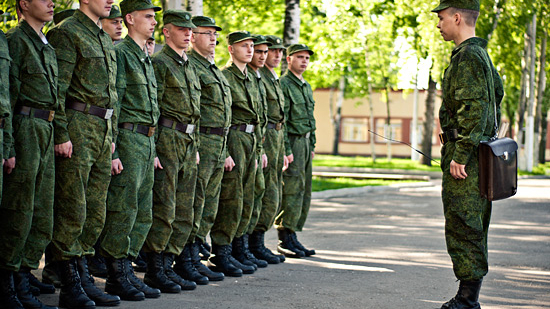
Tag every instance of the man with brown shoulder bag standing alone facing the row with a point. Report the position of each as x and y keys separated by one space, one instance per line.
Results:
x=472 y=92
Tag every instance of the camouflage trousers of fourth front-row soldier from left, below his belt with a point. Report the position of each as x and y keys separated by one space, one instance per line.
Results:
x=173 y=192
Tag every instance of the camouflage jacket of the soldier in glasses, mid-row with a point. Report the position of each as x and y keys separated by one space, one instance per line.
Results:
x=215 y=99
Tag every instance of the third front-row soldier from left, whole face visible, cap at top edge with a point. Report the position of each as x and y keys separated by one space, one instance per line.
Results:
x=130 y=196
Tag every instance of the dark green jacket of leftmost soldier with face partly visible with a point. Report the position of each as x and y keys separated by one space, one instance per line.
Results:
x=33 y=72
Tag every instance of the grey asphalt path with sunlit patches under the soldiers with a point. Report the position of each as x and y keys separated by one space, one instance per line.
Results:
x=385 y=248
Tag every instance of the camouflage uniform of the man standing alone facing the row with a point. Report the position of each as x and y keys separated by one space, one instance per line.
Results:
x=471 y=88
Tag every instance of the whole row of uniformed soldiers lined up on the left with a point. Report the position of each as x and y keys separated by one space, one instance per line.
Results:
x=108 y=152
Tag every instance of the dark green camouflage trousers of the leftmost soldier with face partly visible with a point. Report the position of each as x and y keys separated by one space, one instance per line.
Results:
x=26 y=212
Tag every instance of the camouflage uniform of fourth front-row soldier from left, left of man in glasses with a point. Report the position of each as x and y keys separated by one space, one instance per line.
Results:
x=174 y=188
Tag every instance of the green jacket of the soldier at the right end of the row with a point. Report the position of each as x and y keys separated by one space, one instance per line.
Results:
x=299 y=106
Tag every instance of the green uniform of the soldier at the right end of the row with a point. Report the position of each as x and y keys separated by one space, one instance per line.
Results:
x=299 y=141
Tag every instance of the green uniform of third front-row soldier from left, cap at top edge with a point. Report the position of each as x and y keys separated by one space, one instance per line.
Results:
x=130 y=196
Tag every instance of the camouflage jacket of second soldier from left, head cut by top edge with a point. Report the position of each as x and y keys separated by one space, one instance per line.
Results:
x=87 y=67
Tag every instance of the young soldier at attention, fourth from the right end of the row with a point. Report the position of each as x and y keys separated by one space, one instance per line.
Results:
x=237 y=192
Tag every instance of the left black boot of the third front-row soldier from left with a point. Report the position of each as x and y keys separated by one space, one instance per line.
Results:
x=118 y=283
